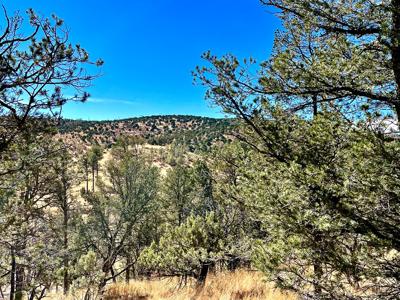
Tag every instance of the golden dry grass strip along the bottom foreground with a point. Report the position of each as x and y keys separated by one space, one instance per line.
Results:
x=226 y=286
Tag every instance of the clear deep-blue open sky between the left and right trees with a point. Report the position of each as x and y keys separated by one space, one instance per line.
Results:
x=150 y=48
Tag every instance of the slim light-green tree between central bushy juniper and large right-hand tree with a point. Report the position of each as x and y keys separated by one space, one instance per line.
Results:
x=229 y=165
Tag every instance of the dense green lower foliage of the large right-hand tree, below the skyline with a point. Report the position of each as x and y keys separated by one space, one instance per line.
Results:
x=319 y=190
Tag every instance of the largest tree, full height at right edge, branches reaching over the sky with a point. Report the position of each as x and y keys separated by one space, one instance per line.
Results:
x=316 y=119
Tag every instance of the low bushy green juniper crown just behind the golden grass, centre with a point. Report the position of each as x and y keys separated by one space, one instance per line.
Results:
x=183 y=250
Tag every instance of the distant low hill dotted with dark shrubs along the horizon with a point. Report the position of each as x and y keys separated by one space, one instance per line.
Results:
x=198 y=133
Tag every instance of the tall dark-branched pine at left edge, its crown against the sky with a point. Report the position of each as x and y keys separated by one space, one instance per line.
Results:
x=36 y=67
